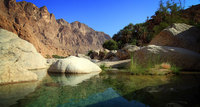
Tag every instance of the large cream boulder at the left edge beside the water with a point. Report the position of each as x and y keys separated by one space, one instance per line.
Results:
x=17 y=58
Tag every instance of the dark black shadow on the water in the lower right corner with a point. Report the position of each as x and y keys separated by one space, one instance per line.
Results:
x=180 y=91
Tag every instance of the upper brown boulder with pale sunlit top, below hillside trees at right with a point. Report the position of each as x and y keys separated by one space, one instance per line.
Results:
x=179 y=35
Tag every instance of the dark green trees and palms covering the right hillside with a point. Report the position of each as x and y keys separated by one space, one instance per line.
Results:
x=169 y=12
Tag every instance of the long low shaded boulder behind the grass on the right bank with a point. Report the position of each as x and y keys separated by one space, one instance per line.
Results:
x=184 y=58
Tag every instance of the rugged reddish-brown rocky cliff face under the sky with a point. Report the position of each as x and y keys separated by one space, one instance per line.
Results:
x=48 y=35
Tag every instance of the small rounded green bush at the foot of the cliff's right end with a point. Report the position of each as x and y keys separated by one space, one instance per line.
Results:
x=111 y=45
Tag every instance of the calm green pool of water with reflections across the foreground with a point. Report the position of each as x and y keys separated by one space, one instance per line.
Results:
x=118 y=90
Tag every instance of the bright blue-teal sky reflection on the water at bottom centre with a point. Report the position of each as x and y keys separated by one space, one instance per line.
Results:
x=108 y=98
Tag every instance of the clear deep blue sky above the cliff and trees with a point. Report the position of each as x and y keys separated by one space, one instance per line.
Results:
x=108 y=16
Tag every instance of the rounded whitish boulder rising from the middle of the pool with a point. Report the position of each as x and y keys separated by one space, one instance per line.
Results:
x=74 y=64
